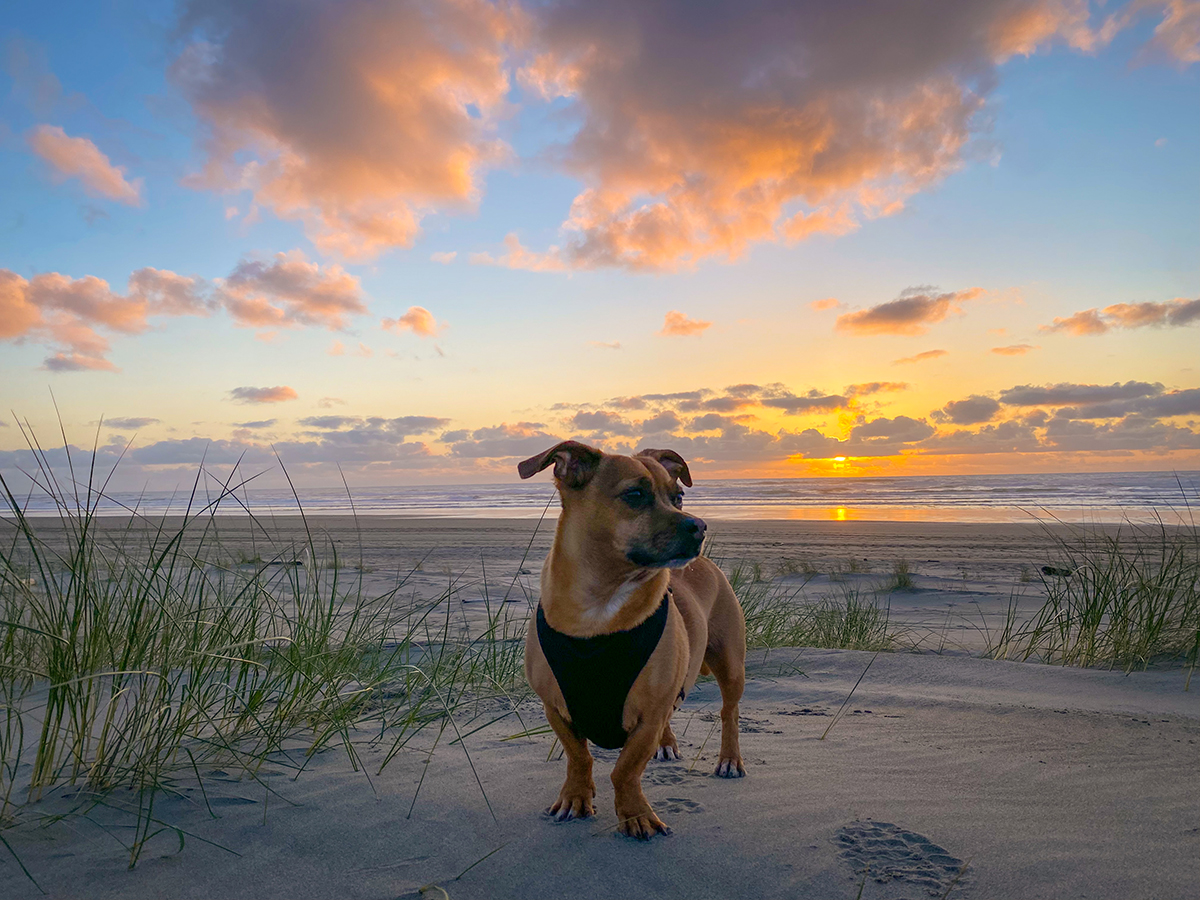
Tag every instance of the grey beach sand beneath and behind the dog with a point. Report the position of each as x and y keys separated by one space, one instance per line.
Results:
x=946 y=772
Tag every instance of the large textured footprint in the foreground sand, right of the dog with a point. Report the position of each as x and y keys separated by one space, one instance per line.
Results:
x=891 y=855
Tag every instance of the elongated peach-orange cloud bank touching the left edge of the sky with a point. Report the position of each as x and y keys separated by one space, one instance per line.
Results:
x=69 y=314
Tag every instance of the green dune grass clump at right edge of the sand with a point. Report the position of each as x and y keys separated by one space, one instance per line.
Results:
x=1124 y=599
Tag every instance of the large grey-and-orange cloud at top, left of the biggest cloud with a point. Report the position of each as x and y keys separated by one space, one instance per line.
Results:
x=377 y=115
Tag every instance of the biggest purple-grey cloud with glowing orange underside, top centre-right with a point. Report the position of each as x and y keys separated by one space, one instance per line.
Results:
x=704 y=131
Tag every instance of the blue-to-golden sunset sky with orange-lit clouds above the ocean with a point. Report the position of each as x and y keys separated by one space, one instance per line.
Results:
x=412 y=243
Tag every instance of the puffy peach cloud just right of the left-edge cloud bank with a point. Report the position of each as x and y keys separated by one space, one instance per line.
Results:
x=290 y=291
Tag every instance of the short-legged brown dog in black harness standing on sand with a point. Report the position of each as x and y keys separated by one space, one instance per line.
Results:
x=626 y=584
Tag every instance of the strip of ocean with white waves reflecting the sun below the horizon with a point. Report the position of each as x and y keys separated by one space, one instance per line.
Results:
x=1108 y=497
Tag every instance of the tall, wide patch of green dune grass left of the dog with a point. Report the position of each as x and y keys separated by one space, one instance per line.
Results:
x=133 y=657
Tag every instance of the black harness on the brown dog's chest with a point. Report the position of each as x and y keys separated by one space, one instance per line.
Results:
x=597 y=674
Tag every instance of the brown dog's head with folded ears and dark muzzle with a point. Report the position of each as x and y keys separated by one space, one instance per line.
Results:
x=627 y=508
